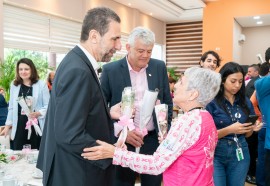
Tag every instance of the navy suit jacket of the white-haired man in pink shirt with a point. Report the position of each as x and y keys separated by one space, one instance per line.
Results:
x=115 y=77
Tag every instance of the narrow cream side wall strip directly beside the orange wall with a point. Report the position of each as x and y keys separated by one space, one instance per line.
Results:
x=237 y=46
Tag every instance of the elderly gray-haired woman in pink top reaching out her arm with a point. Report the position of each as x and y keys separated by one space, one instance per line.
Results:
x=186 y=154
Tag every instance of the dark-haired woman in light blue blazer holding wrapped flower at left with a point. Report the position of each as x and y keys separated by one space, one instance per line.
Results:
x=26 y=84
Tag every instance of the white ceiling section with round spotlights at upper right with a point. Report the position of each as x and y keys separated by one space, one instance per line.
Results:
x=251 y=22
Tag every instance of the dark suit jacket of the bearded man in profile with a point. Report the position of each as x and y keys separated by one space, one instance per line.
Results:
x=77 y=115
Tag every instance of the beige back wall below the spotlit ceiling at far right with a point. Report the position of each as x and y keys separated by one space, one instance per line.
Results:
x=257 y=41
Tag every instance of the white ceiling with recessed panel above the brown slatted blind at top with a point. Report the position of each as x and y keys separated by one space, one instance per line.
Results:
x=168 y=10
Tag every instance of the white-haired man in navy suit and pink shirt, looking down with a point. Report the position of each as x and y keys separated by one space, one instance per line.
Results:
x=139 y=71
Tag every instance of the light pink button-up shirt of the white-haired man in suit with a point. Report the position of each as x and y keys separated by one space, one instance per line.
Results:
x=140 y=84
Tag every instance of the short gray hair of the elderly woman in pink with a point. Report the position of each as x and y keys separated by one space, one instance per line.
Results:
x=205 y=81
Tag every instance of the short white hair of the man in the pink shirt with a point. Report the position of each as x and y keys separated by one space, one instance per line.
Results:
x=146 y=35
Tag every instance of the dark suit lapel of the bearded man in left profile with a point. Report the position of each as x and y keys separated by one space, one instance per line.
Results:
x=78 y=51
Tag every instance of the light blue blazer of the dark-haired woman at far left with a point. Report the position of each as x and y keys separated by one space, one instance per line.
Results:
x=41 y=95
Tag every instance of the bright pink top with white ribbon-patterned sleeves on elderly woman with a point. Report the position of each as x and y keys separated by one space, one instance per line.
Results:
x=185 y=156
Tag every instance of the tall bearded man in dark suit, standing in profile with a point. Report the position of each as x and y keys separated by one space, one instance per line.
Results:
x=77 y=114
